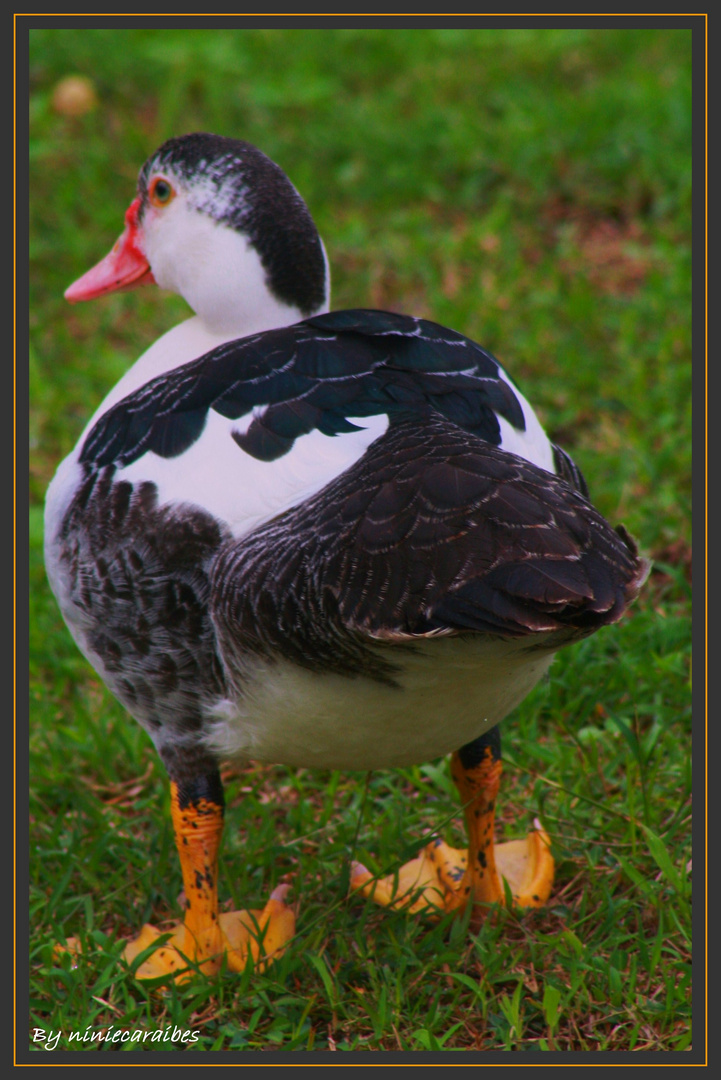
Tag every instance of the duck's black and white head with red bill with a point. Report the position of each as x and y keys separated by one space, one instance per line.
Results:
x=217 y=222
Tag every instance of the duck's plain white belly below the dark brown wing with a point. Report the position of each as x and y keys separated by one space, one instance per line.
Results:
x=452 y=691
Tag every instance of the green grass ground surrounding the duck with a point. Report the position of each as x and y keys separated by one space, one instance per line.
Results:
x=530 y=188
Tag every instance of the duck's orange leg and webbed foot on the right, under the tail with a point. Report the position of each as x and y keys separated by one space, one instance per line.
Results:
x=445 y=880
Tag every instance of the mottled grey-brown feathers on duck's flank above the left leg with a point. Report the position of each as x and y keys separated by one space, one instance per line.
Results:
x=138 y=576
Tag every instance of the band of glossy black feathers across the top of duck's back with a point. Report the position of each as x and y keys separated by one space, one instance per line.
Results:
x=317 y=374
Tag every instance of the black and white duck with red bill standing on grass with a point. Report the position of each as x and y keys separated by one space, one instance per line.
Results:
x=315 y=538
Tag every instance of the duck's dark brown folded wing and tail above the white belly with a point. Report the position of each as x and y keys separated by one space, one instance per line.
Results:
x=433 y=532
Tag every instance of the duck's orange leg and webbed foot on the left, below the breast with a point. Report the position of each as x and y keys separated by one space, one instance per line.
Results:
x=207 y=936
